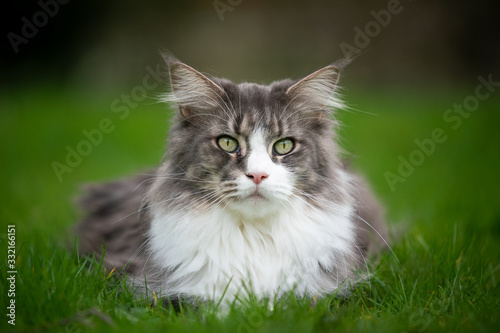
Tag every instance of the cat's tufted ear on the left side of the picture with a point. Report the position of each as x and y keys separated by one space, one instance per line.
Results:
x=191 y=90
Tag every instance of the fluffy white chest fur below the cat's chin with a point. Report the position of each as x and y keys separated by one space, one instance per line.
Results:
x=293 y=248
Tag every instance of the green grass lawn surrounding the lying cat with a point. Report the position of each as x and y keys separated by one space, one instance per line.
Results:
x=445 y=277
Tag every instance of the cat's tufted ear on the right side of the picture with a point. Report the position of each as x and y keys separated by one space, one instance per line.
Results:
x=317 y=91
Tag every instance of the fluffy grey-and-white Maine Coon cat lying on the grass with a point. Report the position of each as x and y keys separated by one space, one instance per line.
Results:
x=252 y=196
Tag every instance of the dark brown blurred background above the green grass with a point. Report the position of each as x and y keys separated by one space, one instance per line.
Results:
x=106 y=45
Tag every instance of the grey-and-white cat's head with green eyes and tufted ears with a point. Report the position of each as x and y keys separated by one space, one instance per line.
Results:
x=250 y=148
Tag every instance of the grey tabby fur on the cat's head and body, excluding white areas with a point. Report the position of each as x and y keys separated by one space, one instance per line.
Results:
x=197 y=173
